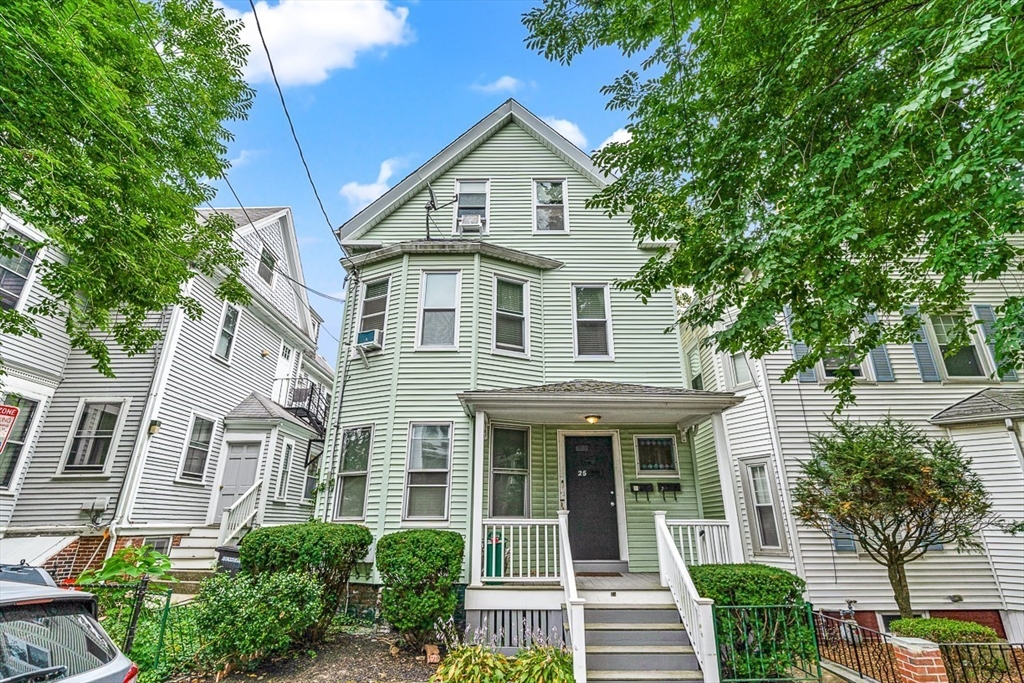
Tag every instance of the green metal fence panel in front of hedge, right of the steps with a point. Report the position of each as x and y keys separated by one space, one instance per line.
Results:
x=766 y=644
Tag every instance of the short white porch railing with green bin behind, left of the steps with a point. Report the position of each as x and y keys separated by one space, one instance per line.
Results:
x=522 y=551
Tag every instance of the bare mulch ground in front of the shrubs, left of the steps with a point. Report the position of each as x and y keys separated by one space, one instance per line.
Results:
x=353 y=659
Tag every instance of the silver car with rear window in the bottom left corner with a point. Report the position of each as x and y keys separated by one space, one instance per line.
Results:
x=52 y=634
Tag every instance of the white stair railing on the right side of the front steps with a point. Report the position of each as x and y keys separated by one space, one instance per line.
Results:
x=695 y=611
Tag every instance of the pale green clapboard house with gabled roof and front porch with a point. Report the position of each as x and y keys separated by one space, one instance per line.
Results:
x=494 y=381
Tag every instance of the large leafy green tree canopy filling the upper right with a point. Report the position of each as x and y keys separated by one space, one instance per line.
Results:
x=831 y=158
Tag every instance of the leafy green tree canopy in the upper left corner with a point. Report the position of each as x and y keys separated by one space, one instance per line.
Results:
x=111 y=123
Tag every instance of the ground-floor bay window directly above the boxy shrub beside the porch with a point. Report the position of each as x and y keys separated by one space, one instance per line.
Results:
x=428 y=476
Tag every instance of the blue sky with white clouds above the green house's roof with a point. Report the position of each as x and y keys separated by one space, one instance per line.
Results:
x=377 y=89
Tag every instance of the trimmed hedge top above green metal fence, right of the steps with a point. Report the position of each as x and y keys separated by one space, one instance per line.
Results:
x=748 y=585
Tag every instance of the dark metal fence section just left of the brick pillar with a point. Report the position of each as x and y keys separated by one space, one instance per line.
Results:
x=848 y=645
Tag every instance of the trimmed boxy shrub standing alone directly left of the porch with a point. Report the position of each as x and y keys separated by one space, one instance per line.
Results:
x=418 y=570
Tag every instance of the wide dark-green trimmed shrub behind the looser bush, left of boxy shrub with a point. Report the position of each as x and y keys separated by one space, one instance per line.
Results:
x=329 y=552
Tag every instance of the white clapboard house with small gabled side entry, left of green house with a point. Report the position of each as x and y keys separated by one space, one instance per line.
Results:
x=226 y=413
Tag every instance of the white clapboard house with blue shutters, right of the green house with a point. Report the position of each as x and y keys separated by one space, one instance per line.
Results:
x=958 y=398
